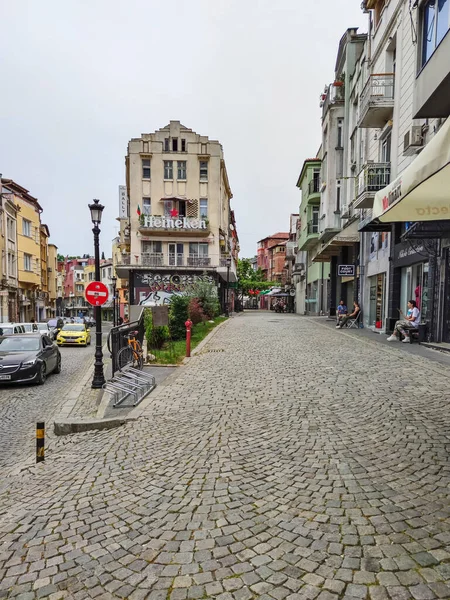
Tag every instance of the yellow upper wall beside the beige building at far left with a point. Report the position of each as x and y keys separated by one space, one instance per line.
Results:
x=28 y=245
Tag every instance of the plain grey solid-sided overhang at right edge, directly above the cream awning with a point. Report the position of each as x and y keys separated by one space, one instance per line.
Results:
x=432 y=86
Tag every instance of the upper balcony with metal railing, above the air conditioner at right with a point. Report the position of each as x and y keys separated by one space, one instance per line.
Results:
x=377 y=101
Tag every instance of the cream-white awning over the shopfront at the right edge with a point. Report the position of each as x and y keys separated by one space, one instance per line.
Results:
x=422 y=191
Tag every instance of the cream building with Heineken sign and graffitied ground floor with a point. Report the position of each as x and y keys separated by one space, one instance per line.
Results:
x=176 y=218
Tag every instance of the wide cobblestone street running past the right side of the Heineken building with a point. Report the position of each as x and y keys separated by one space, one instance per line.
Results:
x=286 y=460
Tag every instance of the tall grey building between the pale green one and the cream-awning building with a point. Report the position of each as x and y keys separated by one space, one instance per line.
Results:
x=338 y=224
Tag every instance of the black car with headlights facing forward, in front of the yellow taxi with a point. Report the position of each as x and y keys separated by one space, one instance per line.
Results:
x=28 y=357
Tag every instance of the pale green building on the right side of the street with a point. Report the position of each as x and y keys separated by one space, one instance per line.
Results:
x=314 y=286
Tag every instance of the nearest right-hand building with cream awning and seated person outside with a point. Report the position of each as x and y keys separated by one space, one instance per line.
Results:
x=401 y=109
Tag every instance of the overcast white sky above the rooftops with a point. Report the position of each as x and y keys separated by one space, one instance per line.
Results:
x=82 y=77
